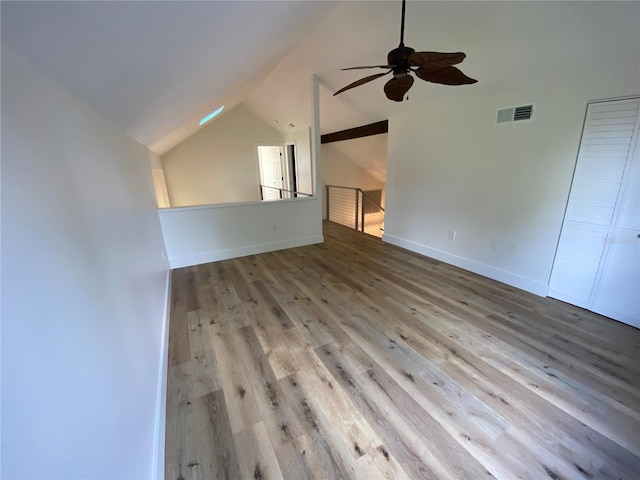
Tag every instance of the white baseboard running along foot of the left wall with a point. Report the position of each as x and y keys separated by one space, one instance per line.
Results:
x=157 y=465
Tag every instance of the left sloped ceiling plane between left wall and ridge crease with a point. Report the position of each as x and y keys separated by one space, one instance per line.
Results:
x=157 y=67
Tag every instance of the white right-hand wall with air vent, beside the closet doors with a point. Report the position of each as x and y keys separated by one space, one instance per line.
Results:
x=451 y=168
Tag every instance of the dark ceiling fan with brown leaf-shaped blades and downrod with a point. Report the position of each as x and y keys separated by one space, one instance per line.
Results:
x=432 y=67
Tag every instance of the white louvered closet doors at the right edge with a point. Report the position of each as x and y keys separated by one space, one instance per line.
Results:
x=597 y=263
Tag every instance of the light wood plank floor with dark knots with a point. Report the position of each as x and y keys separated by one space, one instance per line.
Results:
x=357 y=359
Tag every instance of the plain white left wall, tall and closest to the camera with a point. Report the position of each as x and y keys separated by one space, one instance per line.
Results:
x=83 y=288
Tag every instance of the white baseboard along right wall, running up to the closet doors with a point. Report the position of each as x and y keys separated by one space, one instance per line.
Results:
x=513 y=279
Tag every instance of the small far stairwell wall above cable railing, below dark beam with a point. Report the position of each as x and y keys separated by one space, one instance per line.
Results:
x=340 y=170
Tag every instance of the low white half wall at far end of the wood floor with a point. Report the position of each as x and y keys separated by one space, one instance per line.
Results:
x=218 y=232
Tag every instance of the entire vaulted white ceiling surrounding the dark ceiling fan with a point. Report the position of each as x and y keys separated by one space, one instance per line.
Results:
x=156 y=67
